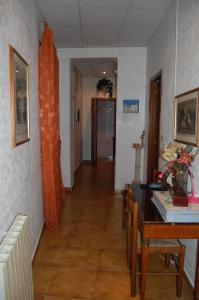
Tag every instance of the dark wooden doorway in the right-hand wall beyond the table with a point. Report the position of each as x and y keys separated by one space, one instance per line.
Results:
x=154 y=127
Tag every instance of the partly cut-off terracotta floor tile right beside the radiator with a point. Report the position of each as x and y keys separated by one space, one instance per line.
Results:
x=42 y=277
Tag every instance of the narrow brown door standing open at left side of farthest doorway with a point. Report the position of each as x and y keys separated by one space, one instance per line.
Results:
x=94 y=131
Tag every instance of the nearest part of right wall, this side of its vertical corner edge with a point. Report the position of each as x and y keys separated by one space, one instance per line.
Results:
x=187 y=78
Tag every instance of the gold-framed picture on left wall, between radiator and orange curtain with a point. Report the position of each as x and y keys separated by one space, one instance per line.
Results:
x=19 y=98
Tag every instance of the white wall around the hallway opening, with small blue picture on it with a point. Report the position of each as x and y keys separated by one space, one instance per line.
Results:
x=130 y=84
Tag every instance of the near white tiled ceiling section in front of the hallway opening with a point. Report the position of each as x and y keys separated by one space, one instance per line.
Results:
x=102 y=23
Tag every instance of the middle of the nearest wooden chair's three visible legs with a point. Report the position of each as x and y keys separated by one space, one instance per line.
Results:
x=144 y=266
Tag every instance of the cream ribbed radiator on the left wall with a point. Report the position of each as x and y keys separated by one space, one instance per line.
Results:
x=16 y=262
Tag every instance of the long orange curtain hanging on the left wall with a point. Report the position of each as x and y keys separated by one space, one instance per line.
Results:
x=49 y=128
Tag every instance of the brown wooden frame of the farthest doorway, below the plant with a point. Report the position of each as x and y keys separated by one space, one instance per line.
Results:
x=94 y=102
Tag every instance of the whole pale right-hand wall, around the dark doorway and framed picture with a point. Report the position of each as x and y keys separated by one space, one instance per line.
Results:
x=174 y=49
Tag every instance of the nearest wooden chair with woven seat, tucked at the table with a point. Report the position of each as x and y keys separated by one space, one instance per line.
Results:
x=136 y=244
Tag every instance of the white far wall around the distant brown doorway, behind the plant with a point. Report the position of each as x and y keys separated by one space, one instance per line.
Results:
x=89 y=91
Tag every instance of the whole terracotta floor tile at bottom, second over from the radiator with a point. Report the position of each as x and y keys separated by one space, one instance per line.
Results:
x=73 y=283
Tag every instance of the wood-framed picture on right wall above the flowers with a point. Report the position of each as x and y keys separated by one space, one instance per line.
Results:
x=186 y=118
